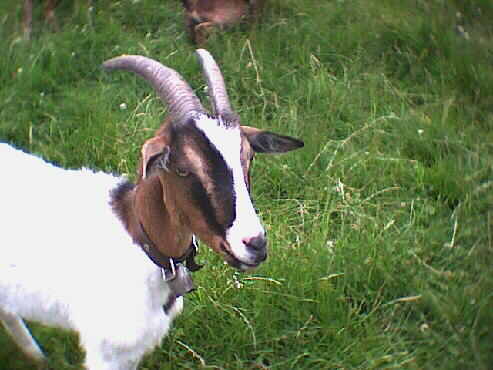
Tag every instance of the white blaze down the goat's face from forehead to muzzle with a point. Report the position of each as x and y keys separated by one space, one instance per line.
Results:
x=247 y=224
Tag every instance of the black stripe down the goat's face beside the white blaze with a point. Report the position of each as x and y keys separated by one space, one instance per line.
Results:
x=218 y=204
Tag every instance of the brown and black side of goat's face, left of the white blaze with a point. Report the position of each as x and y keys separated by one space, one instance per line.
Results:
x=204 y=204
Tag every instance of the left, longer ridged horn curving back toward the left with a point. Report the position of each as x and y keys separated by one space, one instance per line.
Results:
x=169 y=85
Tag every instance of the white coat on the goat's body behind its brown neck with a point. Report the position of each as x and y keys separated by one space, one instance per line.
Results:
x=66 y=260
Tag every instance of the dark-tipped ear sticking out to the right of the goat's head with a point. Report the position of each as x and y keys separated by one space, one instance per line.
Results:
x=269 y=142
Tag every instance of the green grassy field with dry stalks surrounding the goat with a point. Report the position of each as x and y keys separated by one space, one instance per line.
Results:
x=380 y=229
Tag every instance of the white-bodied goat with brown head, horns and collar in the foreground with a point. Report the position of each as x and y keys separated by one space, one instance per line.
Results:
x=97 y=254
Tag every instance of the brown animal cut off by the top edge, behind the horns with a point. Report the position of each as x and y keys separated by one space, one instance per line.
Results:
x=202 y=15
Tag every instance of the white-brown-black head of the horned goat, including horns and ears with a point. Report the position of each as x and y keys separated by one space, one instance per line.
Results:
x=201 y=161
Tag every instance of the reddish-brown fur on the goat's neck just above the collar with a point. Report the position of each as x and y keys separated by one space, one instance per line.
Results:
x=149 y=212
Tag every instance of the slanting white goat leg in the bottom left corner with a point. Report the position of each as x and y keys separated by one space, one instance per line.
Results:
x=20 y=334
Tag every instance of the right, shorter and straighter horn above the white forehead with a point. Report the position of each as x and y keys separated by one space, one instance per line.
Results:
x=215 y=82
